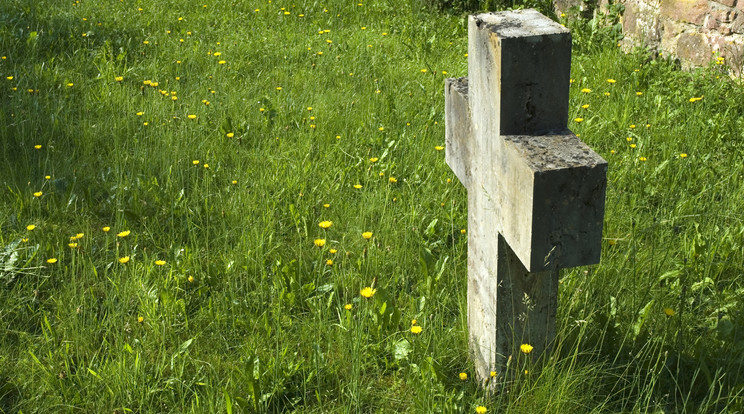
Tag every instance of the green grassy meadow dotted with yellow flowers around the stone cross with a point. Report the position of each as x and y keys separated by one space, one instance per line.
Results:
x=226 y=207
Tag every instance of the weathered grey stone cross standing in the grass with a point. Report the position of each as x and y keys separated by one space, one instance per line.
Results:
x=536 y=193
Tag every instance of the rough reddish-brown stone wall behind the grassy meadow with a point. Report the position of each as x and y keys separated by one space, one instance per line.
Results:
x=698 y=32
